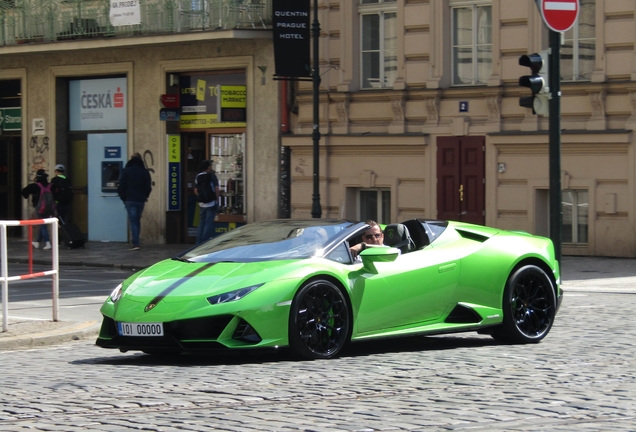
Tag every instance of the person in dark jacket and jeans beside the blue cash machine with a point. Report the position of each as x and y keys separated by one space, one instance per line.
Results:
x=134 y=189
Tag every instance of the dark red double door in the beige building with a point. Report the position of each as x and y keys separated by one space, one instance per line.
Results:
x=460 y=179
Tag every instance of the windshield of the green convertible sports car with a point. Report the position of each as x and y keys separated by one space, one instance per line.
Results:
x=269 y=240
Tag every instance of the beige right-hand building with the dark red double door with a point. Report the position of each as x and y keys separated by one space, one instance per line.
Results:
x=420 y=117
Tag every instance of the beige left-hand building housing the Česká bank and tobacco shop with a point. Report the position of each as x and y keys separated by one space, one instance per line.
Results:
x=193 y=87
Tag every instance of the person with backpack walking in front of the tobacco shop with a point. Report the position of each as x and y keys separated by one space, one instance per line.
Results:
x=207 y=187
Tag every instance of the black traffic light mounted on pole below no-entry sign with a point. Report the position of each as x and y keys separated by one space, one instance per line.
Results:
x=537 y=83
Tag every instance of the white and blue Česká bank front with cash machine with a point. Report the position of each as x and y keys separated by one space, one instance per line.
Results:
x=96 y=152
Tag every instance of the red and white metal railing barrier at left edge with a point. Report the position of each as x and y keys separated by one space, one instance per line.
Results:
x=54 y=272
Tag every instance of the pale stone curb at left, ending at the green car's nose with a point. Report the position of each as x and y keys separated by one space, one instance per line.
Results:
x=73 y=332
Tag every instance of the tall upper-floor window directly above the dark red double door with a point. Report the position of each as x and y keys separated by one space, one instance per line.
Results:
x=472 y=43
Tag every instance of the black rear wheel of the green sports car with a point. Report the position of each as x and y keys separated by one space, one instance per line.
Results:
x=529 y=307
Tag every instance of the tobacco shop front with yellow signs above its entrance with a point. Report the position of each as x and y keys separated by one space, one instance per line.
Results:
x=211 y=126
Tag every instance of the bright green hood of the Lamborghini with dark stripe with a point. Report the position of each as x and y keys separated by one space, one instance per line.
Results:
x=177 y=281
